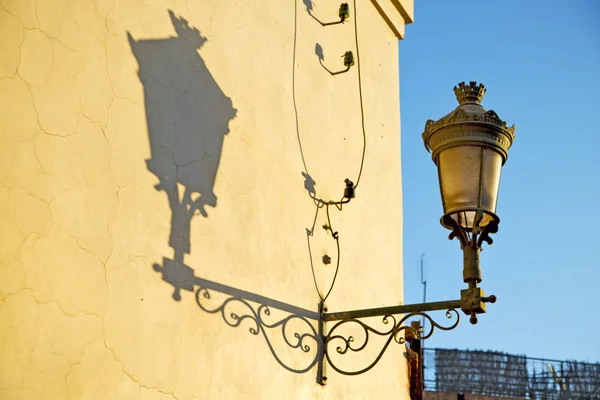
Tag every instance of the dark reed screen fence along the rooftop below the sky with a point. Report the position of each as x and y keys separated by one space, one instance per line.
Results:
x=507 y=375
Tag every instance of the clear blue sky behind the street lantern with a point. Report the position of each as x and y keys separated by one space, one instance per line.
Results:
x=540 y=62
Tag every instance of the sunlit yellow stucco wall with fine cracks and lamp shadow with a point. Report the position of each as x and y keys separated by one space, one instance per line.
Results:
x=123 y=122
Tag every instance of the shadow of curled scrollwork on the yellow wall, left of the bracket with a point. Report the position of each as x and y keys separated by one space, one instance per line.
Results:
x=257 y=317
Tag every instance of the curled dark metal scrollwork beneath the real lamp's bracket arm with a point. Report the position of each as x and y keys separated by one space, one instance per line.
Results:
x=395 y=332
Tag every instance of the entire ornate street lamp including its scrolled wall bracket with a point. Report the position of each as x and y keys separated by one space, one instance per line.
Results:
x=469 y=146
